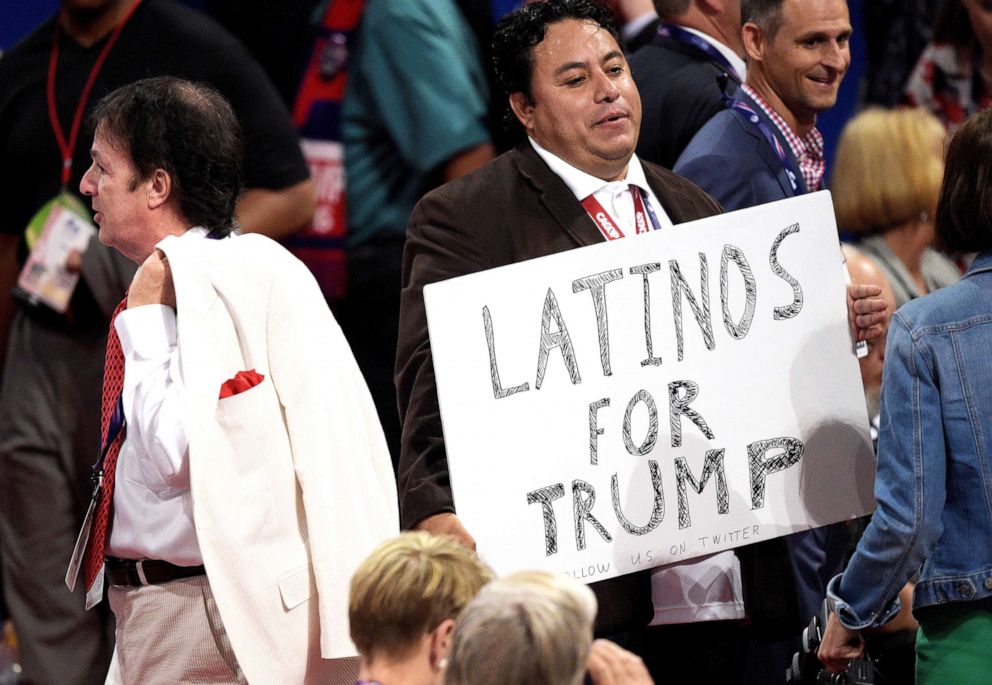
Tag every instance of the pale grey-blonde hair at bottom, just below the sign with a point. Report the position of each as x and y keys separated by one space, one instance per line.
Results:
x=532 y=628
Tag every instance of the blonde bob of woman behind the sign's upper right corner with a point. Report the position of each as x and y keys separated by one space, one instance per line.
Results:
x=888 y=169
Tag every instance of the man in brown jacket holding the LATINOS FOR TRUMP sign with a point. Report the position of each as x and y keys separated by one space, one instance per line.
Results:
x=574 y=182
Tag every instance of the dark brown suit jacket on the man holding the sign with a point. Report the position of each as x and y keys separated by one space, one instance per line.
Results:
x=514 y=208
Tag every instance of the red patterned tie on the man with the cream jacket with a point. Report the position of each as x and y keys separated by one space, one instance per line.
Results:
x=113 y=383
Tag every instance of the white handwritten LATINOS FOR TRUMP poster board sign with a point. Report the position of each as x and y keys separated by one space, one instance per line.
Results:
x=656 y=398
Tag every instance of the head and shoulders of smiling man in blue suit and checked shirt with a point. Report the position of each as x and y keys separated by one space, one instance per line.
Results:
x=765 y=145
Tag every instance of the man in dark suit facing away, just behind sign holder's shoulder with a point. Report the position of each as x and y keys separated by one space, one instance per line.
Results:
x=692 y=63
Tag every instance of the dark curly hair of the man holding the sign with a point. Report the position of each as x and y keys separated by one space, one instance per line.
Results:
x=518 y=32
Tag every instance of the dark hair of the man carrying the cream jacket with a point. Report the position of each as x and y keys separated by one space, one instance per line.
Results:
x=189 y=130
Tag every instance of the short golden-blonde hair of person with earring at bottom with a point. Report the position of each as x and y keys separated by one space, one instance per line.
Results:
x=406 y=588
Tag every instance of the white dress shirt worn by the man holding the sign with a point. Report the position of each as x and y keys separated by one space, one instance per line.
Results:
x=707 y=589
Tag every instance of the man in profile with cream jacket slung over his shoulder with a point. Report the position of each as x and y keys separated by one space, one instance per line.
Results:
x=245 y=474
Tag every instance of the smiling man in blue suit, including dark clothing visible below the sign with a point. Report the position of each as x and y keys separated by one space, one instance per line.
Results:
x=765 y=147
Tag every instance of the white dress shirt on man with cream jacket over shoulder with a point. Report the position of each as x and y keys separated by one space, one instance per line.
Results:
x=153 y=508
